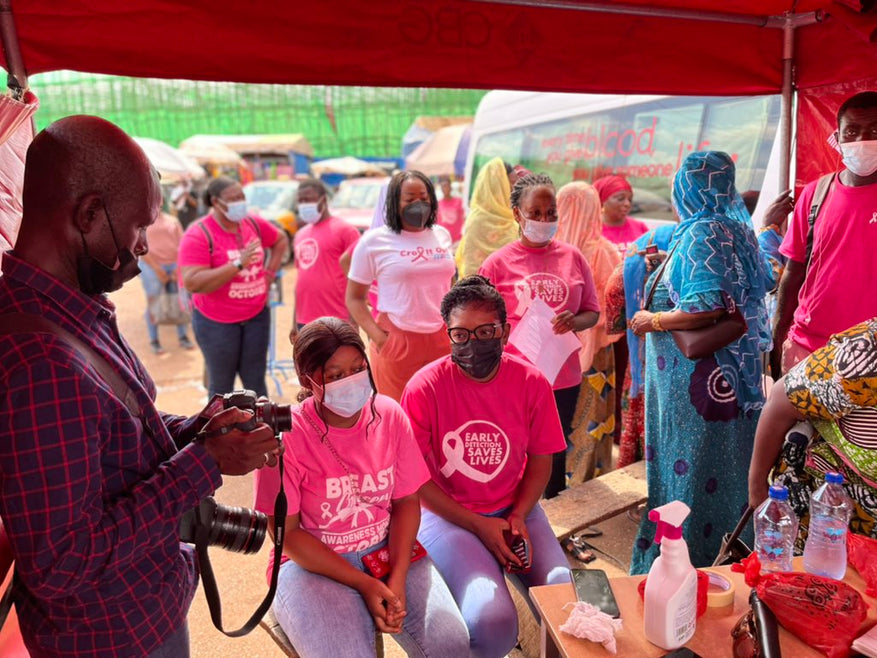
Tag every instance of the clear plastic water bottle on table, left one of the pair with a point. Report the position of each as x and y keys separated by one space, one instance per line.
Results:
x=776 y=527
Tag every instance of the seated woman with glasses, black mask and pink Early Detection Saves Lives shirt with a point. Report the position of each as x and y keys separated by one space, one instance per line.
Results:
x=487 y=426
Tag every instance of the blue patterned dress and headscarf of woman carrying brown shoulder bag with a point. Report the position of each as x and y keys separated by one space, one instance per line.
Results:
x=701 y=414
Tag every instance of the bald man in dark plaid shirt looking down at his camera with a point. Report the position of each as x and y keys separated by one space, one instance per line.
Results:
x=93 y=478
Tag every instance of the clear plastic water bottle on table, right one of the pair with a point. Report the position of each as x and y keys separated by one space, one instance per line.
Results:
x=825 y=553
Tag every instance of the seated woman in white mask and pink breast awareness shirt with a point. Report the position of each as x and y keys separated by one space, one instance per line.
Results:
x=352 y=473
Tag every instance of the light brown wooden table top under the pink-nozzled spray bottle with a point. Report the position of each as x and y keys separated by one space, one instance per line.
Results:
x=712 y=638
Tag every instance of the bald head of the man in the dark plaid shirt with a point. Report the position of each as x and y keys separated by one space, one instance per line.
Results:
x=89 y=191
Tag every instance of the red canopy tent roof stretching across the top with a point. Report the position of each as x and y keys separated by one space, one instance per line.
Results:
x=823 y=49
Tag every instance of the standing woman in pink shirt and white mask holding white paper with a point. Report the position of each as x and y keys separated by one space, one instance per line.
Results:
x=537 y=265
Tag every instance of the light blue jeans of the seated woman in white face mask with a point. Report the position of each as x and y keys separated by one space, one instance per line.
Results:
x=322 y=617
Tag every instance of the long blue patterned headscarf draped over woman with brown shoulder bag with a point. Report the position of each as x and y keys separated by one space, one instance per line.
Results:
x=717 y=263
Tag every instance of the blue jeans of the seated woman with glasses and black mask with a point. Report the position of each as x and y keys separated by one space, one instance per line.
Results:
x=477 y=580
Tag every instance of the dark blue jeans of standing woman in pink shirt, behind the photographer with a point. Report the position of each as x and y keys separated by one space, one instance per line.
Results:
x=234 y=348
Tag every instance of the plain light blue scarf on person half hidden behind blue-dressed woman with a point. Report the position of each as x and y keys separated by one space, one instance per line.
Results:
x=635 y=276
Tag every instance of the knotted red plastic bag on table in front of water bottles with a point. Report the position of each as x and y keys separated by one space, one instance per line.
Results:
x=823 y=612
